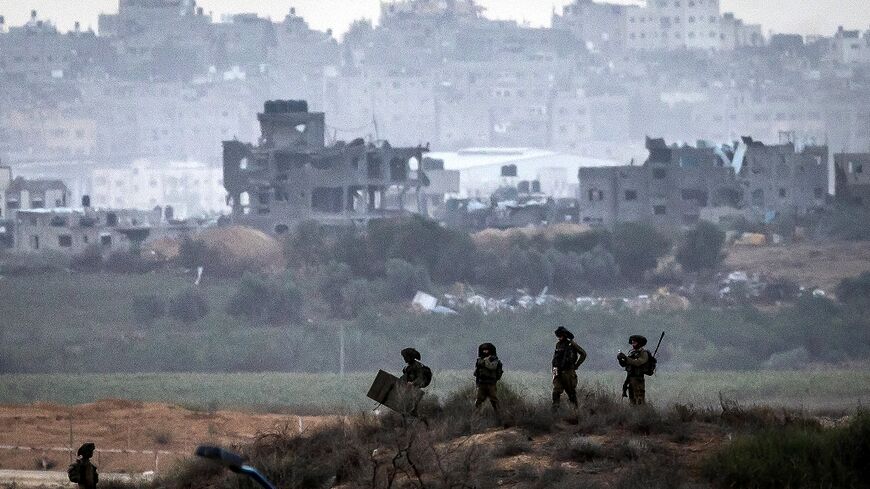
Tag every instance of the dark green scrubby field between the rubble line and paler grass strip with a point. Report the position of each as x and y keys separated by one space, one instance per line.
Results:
x=94 y=323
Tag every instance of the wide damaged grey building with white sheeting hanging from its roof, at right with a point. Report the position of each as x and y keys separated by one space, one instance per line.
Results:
x=679 y=185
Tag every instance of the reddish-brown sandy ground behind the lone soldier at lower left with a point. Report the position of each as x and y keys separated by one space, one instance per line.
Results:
x=127 y=426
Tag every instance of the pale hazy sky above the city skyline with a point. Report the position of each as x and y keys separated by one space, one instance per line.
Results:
x=801 y=16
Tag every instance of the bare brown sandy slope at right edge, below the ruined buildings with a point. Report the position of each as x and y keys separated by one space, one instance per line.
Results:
x=820 y=265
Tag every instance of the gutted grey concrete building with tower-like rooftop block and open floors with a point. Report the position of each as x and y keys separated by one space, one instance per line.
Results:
x=291 y=175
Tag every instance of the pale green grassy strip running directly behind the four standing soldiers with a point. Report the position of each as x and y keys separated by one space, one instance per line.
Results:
x=318 y=392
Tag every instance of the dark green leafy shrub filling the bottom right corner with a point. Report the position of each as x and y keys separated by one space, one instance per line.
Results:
x=795 y=457
